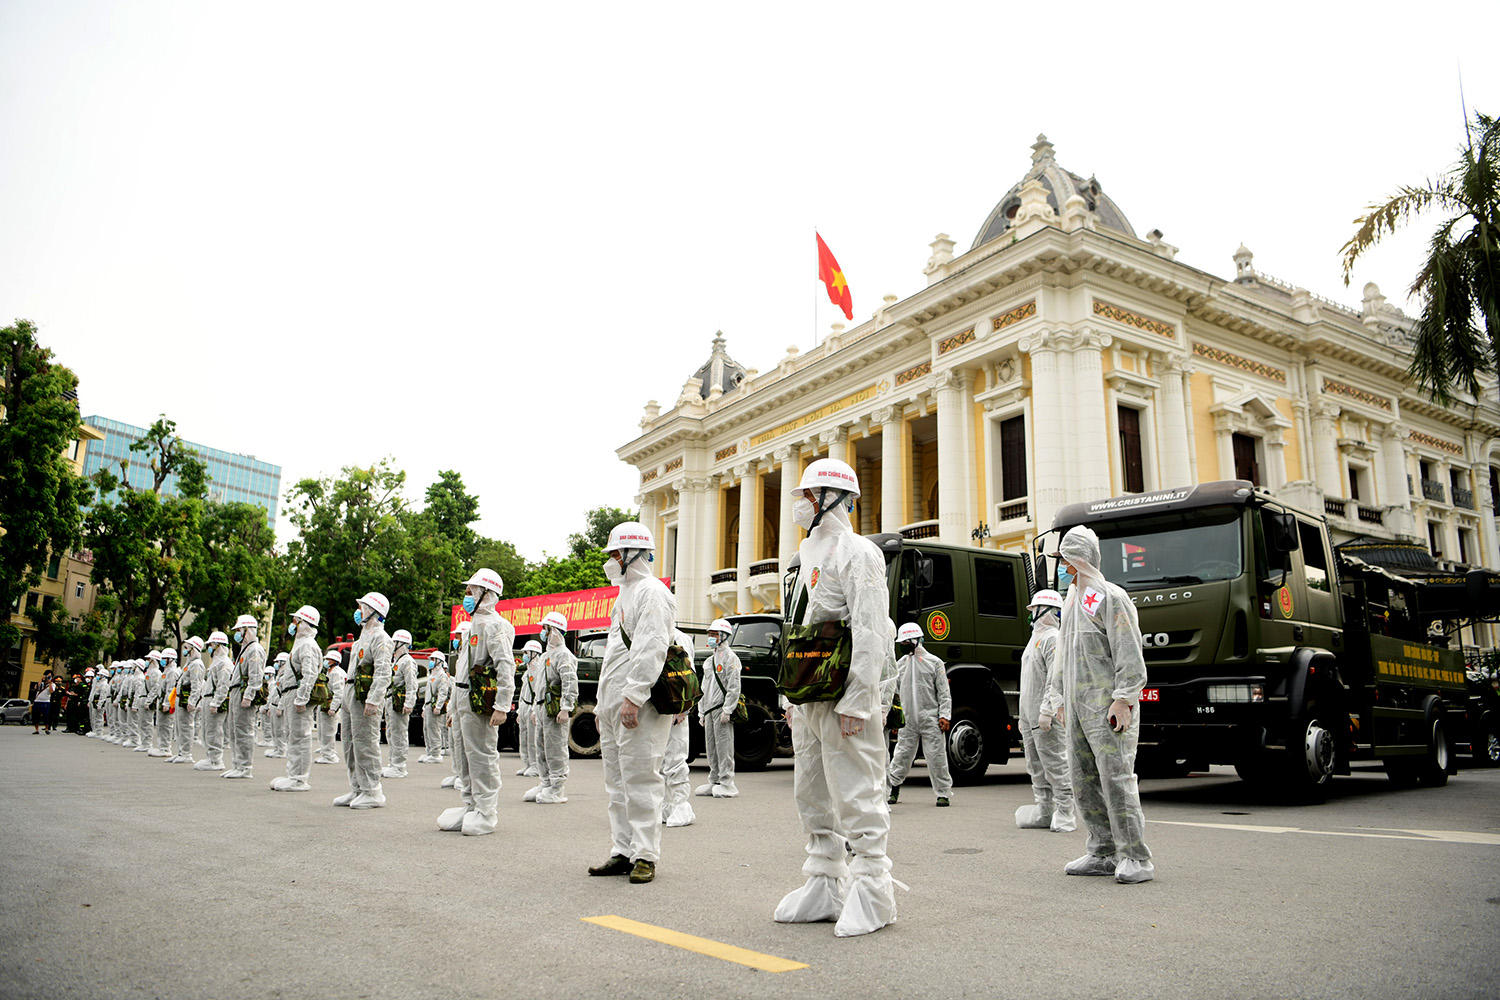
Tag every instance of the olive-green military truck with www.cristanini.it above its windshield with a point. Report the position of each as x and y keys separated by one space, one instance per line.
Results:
x=1268 y=648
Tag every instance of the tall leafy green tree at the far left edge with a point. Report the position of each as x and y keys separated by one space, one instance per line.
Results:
x=41 y=497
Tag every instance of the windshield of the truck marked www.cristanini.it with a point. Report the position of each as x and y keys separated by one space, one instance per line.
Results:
x=1172 y=549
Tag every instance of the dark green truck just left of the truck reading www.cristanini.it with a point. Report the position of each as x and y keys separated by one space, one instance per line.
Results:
x=971 y=605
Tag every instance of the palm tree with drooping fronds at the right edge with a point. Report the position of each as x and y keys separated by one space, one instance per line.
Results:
x=1460 y=280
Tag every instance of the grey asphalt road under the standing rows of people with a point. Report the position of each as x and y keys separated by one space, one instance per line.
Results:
x=130 y=878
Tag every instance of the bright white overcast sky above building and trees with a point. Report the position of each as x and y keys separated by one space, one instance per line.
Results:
x=484 y=236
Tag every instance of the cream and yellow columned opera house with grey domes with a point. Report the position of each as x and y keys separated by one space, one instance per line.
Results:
x=1064 y=359
